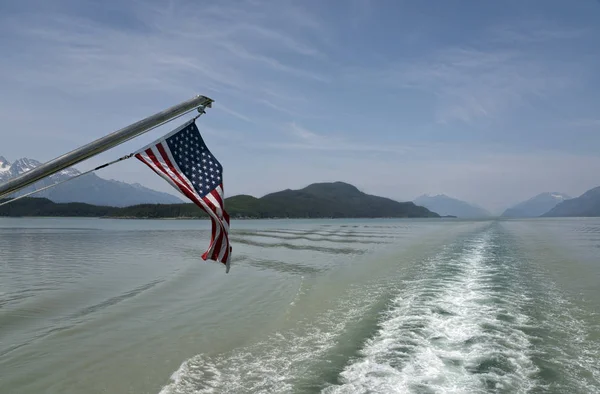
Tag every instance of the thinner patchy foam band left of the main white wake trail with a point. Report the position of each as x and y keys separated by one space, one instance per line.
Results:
x=273 y=365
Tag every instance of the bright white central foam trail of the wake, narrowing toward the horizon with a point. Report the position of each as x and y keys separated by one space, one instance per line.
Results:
x=444 y=334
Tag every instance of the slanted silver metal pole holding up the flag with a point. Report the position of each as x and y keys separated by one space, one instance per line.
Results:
x=100 y=145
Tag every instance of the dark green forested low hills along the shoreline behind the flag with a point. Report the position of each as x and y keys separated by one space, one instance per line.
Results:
x=321 y=200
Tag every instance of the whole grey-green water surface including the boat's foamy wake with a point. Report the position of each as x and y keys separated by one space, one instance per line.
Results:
x=326 y=306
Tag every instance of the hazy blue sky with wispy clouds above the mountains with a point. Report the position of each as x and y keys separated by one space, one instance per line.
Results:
x=489 y=102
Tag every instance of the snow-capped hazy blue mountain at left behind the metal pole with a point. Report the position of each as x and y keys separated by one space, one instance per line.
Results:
x=90 y=188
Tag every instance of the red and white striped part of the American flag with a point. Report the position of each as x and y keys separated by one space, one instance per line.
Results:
x=158 y=157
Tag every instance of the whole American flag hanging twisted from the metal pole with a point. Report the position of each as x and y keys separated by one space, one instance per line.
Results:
x=183 y=159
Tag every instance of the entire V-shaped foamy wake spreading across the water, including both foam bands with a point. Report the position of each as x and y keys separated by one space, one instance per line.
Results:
x=462 y=321
